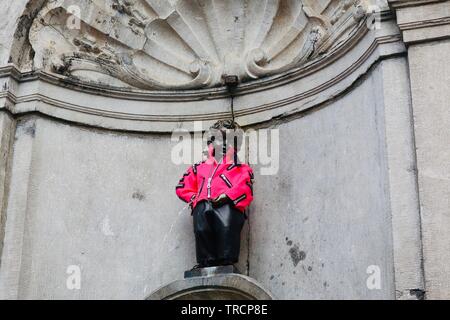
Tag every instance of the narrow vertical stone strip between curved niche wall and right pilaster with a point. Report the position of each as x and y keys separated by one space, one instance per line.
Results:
x=403 y=191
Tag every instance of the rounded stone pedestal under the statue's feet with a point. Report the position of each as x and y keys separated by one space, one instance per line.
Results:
x=215 y=283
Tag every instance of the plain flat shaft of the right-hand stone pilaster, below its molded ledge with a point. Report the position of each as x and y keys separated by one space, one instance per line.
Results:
x=430 y=74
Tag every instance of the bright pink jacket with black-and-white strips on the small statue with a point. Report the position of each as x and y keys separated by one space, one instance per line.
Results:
x=209 y=179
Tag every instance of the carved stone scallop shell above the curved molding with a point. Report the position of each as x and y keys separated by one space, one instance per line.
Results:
x=185 y=44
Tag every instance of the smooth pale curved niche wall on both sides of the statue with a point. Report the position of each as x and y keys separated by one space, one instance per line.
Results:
x=105 y=201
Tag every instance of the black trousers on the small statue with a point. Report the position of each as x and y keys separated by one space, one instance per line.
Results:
x=217 y=233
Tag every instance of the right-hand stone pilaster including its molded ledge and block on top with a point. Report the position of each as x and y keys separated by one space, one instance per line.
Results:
x=425 y=26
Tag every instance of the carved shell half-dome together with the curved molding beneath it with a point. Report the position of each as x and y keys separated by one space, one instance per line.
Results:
x=153 y=66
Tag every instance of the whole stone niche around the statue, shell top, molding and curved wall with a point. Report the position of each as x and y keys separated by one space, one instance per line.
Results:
x=140 y=69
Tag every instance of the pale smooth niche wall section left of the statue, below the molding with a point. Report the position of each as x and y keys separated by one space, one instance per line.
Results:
x=102 y=201
